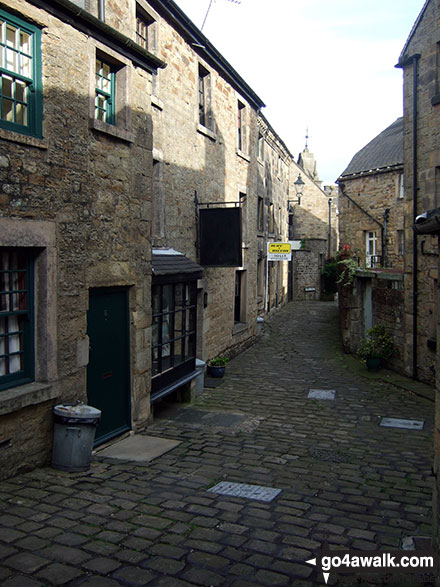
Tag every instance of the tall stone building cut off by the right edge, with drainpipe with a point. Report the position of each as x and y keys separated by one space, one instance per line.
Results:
x=419 y=61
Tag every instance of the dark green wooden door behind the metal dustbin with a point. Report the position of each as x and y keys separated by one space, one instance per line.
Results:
x=108 y=387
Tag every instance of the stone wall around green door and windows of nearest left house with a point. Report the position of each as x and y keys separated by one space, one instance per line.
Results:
x=79 y=200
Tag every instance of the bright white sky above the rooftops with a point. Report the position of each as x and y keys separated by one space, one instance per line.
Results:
x=323 y=64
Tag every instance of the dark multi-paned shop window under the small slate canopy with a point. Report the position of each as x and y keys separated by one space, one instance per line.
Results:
x=174 y=326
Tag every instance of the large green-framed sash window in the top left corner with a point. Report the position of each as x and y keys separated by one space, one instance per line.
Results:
x=21 y=105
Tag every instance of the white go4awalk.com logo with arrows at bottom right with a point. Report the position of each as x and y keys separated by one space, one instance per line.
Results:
x=359 y=562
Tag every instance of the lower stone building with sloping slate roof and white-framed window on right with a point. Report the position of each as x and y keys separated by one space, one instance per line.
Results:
x=372 y=223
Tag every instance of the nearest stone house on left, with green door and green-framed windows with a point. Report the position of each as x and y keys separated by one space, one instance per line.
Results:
x=75 y=211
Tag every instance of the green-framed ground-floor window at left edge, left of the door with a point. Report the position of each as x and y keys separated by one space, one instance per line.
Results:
x=16 y=318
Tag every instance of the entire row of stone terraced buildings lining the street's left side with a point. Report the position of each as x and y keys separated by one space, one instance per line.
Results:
x=140 y=185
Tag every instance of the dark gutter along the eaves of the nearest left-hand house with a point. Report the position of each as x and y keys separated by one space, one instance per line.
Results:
x=90 y=25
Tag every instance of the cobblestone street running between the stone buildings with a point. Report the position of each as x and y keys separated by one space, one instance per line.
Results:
x=345 y=480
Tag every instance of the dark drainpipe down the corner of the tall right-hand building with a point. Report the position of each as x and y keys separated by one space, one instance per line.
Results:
x=413 y=60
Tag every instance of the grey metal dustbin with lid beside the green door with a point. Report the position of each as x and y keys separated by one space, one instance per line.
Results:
x=73 y=436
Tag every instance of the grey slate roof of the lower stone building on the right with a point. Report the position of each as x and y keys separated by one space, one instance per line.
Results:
x=383 y=152
